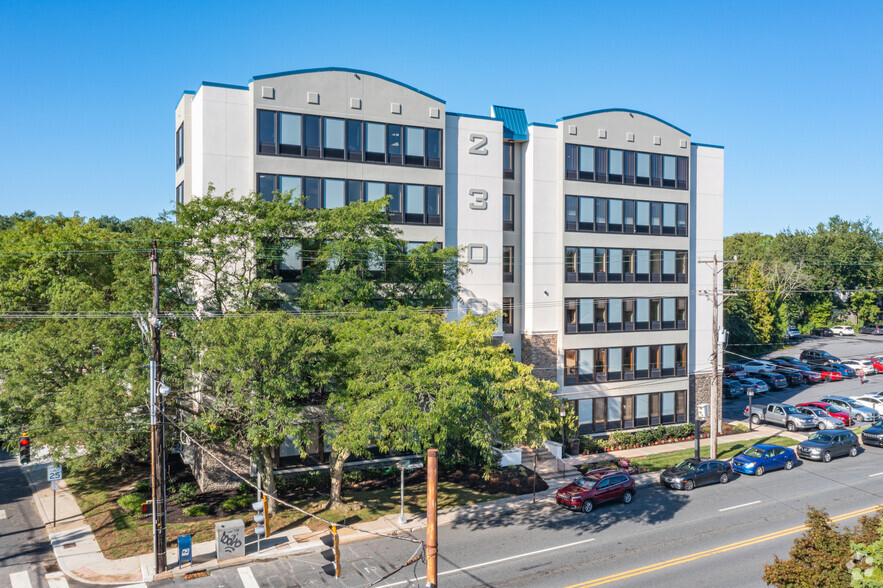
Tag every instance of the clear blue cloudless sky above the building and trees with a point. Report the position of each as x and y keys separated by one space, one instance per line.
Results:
x=791 y=89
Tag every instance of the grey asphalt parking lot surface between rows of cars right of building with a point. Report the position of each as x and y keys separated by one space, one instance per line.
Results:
x=846 y=347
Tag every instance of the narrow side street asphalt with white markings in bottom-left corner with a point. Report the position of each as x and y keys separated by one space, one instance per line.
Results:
x=24 y=545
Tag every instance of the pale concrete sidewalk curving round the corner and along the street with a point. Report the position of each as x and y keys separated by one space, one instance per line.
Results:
x=80 y=557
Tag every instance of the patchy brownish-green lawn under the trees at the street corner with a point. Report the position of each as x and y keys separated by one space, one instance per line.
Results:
x=121 y=535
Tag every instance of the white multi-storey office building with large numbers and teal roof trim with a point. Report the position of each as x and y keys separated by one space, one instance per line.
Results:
x=590 y=234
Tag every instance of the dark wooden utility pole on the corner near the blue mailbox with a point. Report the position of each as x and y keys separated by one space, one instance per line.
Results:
x=157 y=424
